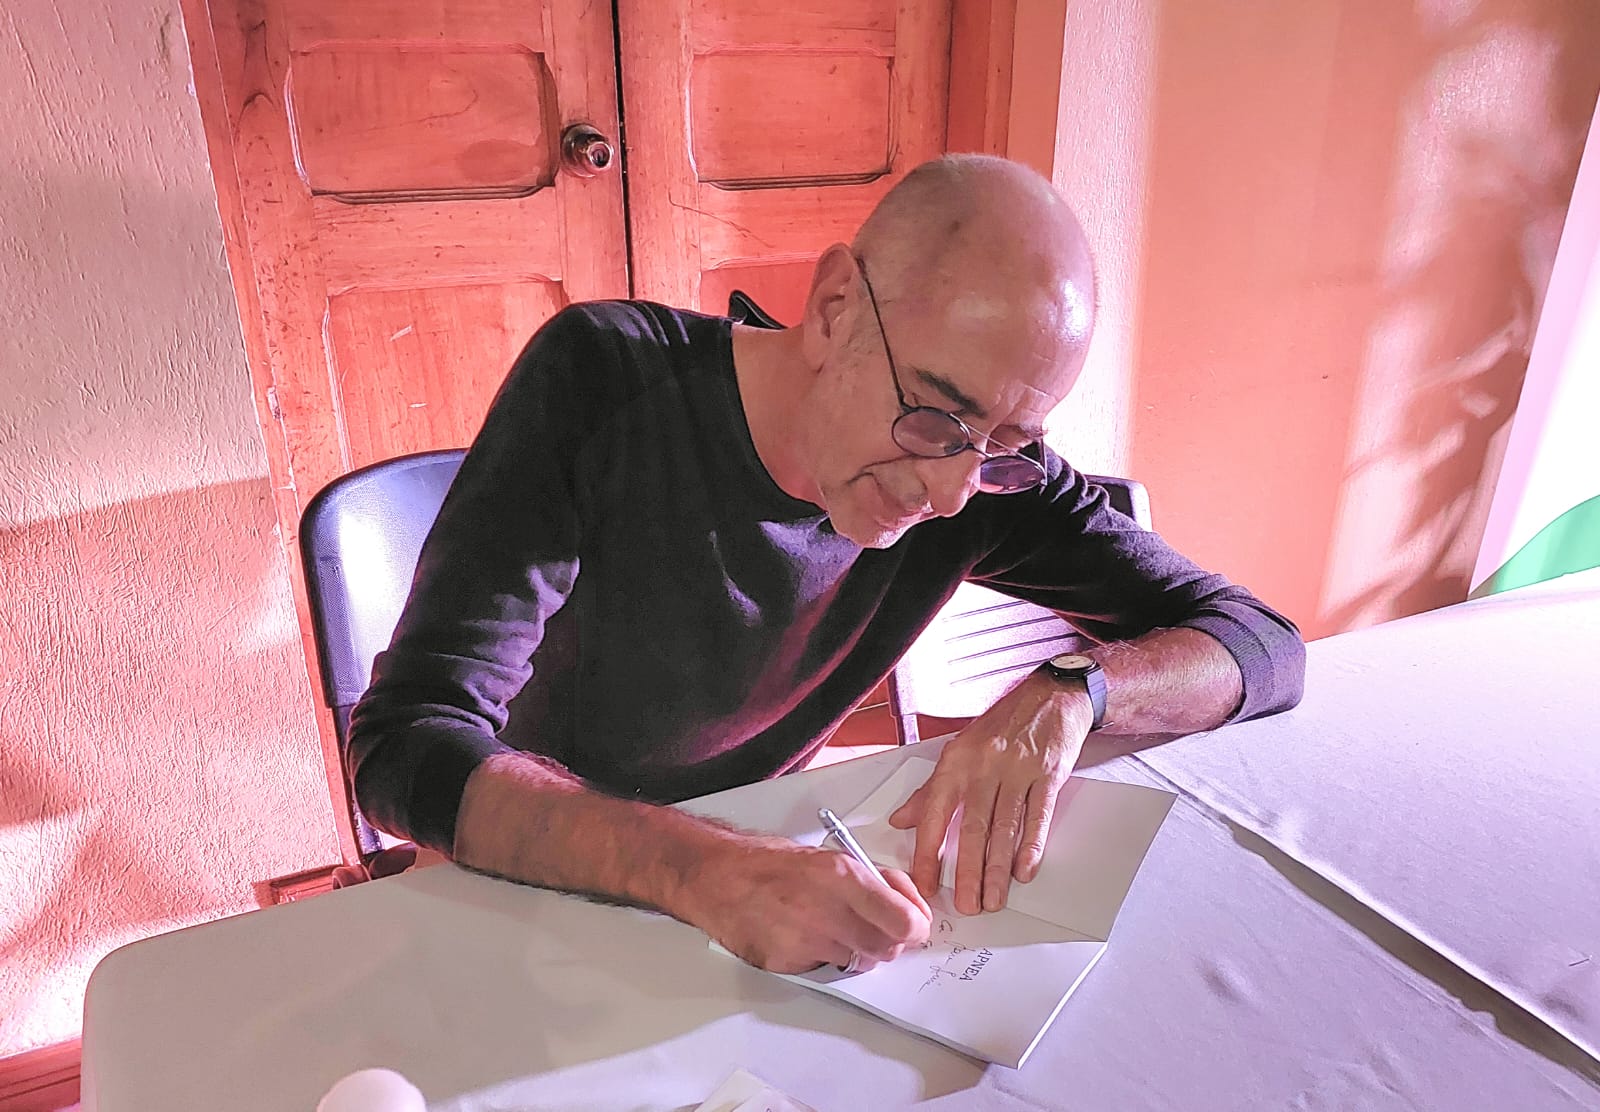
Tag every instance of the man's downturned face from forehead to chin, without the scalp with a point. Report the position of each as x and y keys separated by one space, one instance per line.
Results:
x=1001 y=362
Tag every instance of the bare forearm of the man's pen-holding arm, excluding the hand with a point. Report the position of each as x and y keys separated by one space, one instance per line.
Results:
x=534 y=822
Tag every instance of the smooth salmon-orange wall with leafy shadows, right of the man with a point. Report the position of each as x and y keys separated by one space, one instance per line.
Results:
x=1353 y=215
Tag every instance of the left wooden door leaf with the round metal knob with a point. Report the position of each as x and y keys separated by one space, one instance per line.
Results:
x=398 y=217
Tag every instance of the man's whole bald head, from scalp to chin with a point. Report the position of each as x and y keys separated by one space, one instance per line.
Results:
x=985 y=287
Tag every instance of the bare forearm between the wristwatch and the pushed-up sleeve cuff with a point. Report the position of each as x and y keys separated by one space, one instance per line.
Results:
x=1170 y=681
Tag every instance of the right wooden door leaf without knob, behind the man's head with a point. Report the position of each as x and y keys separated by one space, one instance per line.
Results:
x=758 y=135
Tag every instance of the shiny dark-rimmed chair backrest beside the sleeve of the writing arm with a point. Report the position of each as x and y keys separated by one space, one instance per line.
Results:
x=361 y=538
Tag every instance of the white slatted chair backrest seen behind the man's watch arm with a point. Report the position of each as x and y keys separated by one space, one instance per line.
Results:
x=982 y=644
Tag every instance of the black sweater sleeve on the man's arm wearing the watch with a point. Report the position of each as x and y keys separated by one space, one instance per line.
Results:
x=1068 y=550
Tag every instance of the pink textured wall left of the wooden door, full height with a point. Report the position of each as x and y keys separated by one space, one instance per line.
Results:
x=158 y=753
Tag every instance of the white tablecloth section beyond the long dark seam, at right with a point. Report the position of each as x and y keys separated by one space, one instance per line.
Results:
x=1446 y=772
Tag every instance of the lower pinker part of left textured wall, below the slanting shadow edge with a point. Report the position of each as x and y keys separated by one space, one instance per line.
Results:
x=158 y=745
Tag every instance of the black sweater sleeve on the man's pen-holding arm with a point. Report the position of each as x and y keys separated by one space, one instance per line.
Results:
x=500 y=561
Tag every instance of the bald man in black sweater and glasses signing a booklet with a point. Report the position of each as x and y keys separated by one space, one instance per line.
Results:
x=682 y=551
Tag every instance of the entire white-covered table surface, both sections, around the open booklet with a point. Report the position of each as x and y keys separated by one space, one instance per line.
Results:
x=1298 y=938
